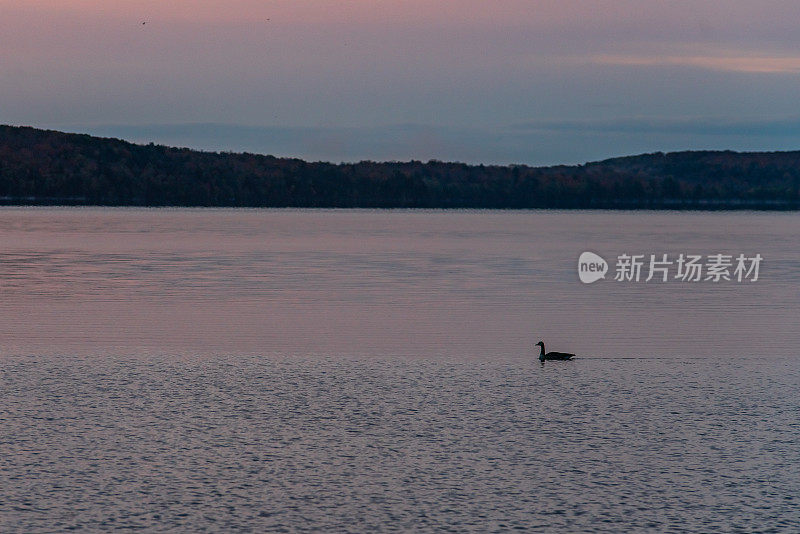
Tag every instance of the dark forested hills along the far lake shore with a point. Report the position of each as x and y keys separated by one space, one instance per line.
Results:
x=48 y=167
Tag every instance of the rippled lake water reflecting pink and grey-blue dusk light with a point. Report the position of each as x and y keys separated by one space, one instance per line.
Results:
x=290 y=370
